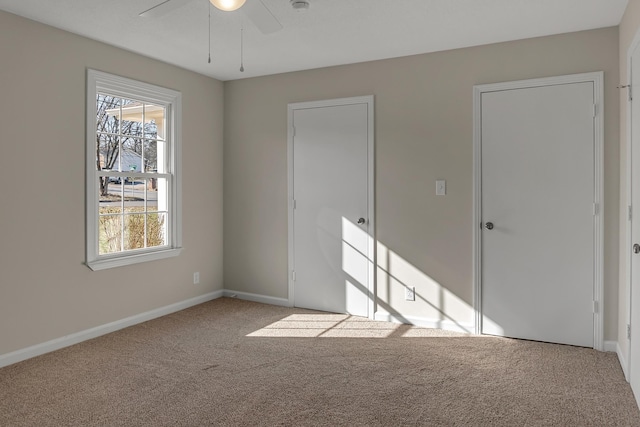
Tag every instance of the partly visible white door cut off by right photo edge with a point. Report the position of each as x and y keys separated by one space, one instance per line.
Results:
x=634 y=359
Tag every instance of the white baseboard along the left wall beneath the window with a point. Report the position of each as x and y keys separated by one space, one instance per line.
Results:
x=75 y=338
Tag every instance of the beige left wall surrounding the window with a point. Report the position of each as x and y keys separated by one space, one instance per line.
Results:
x=45 y=290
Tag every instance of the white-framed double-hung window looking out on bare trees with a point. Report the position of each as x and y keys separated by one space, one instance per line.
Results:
x=133 y=165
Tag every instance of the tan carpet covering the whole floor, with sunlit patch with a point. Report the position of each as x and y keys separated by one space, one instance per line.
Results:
x=231 y=362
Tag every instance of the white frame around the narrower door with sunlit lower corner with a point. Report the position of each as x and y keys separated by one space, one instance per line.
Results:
x=371 y=224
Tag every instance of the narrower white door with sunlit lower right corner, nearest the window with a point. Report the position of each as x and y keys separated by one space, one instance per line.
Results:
x=332 y=244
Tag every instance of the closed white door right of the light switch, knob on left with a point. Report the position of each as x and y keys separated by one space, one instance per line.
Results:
x=538 y=213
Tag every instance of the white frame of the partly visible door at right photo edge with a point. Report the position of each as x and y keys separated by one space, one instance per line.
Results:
x=625 y=360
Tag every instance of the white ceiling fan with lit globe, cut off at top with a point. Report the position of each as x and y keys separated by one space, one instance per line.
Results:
x=255 y=10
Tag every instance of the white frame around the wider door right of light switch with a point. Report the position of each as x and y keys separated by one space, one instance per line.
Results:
x=597 y=79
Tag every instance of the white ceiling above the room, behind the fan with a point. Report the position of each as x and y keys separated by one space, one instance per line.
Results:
x=331 y=32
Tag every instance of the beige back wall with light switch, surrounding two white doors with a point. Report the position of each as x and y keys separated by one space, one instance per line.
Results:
x=423 y=132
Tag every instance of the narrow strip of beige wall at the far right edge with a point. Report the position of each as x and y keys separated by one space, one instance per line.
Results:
x=629 y=26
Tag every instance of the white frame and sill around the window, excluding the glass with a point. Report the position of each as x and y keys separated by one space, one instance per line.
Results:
x=98 y=81
